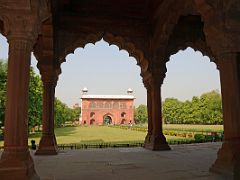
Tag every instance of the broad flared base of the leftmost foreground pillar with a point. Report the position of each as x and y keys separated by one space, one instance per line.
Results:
x=17 y=165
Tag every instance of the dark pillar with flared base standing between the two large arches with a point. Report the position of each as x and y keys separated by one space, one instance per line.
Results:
x=155 y=138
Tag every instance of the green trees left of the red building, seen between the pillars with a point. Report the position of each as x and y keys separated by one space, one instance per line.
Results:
x=62 y=112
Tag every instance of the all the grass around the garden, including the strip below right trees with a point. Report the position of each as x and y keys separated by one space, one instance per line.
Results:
x=98 y=134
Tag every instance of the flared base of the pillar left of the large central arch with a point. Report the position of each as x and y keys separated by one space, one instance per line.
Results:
x=47 y=146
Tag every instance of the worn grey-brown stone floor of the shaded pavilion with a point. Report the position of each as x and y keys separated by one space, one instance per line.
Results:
x=188 y=162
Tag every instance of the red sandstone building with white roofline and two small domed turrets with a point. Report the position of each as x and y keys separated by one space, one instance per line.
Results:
x=106 y=109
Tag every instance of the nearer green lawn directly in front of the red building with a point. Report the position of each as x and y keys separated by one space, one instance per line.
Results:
x=95 y=134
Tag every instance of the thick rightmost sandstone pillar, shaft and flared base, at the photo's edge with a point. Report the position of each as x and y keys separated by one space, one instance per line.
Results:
x=228 y=160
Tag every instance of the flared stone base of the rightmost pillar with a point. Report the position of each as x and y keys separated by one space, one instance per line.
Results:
x=228 y=160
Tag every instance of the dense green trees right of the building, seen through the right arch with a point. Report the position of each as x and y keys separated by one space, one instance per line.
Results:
x=206 y=109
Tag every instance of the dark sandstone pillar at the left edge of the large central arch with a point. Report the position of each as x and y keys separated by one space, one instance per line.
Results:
x=48 y=143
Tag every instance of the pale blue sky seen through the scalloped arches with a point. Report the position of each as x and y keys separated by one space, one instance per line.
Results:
x=104 y=69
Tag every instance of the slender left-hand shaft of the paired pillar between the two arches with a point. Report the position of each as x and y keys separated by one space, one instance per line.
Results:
x=149 y=109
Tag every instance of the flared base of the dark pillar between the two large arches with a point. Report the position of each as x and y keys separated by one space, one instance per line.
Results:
x=156 y=143
